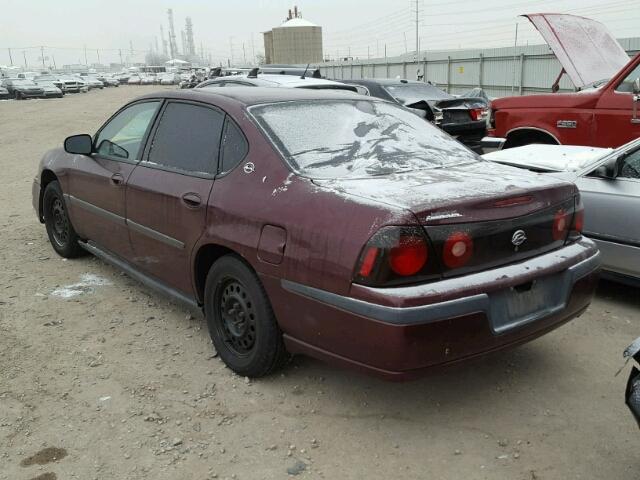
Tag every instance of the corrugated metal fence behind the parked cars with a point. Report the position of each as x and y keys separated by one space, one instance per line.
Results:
x=499 y=71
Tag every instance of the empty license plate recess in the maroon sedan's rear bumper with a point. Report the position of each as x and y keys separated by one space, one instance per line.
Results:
x=522 y=304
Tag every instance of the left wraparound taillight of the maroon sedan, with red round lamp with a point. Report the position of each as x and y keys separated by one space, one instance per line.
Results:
x=394 y=256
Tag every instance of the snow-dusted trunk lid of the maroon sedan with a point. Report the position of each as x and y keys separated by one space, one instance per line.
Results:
x=458 y=194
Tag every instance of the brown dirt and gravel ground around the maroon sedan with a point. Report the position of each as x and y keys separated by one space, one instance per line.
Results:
x=101 y=378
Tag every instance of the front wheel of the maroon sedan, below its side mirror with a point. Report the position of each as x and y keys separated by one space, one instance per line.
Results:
x=62 y=236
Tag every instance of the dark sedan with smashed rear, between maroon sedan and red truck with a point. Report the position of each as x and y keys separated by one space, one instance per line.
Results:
x=462 y=117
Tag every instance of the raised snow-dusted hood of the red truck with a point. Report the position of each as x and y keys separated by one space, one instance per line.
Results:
x=585 y=48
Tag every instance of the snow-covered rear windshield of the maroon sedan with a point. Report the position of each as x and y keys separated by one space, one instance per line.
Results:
x=356 y=138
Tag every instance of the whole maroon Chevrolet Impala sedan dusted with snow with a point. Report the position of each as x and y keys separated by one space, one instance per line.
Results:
x=321 y=223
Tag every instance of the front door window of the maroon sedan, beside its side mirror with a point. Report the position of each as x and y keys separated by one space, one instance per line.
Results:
x=122 y=136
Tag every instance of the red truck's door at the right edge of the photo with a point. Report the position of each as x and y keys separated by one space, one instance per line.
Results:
x=615 y=124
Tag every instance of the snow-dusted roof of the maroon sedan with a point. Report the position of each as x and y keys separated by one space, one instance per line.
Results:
x=256 y=95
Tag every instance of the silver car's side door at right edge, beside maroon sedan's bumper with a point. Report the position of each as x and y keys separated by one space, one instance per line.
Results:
x=611 y=209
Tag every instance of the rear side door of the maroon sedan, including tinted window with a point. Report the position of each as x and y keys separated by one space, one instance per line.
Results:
x=167 y=193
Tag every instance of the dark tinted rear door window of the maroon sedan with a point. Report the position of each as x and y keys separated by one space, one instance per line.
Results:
x=188 y=138
